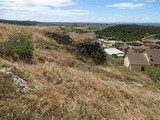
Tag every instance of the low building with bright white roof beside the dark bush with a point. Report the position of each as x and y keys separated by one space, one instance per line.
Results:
x=114 y=51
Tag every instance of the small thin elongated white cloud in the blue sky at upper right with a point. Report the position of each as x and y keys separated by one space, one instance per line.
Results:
x=126 y=5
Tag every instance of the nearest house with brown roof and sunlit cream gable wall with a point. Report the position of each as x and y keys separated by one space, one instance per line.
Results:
x=136 y=61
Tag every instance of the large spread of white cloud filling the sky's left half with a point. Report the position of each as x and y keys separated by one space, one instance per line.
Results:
x=34 y=8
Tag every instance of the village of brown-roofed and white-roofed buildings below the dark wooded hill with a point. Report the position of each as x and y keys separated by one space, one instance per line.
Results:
x=137 y=54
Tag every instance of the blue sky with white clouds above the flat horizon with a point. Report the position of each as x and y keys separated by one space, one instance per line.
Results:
x=97 y=11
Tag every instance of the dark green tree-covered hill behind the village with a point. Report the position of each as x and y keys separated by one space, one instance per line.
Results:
x=129 y=32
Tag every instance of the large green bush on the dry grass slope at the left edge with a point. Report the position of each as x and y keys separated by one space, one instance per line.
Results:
x=19 y=45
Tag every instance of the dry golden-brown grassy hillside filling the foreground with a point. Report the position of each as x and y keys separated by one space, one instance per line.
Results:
x=64 y=87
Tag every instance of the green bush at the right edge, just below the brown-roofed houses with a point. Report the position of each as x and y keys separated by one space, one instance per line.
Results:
x=153 y=72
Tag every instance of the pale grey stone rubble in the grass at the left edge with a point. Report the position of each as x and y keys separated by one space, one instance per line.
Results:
x=21 y=85
